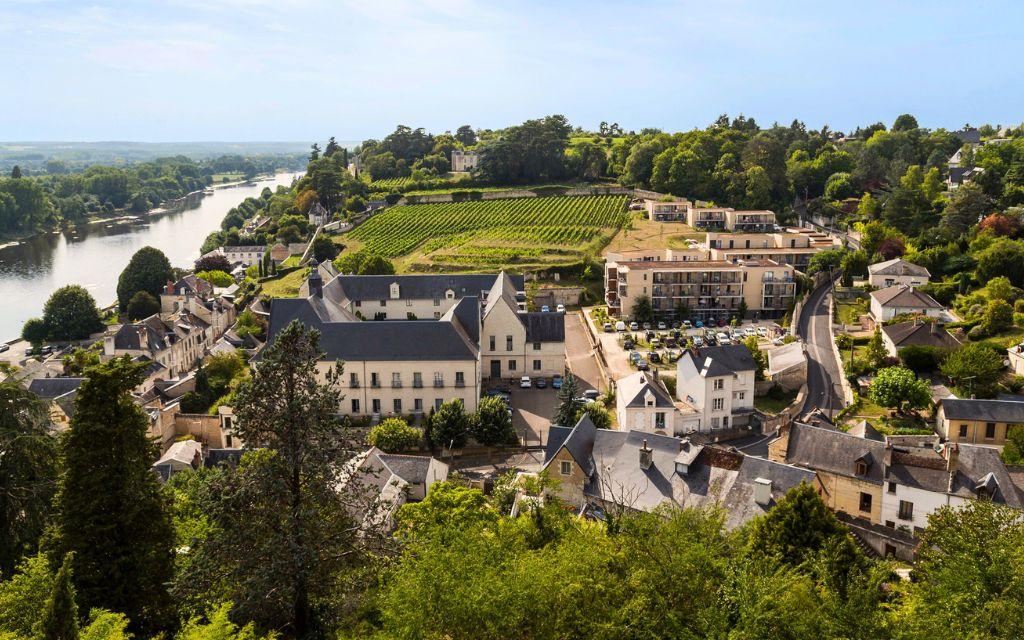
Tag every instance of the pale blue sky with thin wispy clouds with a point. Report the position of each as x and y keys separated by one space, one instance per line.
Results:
x=303 y=70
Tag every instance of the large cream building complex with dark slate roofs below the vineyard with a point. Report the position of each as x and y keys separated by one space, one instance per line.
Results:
x=467 y=328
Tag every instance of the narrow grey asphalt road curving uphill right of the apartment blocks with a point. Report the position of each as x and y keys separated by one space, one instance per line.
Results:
x=824 y=372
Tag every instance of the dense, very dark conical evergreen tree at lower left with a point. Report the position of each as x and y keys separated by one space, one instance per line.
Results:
x=111 y=510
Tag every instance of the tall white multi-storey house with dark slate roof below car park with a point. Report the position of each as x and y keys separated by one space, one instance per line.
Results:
x=718 y=383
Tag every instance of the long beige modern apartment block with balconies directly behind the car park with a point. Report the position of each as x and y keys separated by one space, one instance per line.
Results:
x=701 y=289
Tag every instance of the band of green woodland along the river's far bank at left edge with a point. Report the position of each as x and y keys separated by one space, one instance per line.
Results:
x=29 y=203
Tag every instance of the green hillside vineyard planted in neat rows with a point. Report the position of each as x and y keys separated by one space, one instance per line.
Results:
x=529 y=233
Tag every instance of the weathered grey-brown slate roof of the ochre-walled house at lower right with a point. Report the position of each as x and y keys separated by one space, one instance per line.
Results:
x=835 y=452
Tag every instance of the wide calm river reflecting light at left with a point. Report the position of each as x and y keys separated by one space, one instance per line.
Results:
x=95 y=255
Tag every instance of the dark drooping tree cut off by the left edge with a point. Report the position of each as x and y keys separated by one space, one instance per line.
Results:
x=28 y=473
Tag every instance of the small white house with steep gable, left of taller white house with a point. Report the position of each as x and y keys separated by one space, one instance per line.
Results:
x=644 y=404
